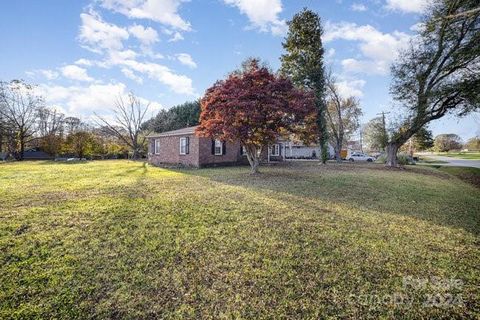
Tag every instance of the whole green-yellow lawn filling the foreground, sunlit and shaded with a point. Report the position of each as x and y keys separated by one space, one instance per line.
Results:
x=119 y=239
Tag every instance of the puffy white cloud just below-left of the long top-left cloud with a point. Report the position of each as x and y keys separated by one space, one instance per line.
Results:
x=99 y=35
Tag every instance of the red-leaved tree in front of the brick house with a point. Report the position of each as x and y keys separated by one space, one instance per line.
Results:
x=256 y=107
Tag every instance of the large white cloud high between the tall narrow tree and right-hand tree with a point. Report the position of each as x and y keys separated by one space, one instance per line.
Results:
x=379 y=49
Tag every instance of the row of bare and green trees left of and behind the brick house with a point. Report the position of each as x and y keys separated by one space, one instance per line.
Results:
x=26 y=122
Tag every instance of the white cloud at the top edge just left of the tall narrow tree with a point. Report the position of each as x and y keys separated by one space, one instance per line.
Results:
x=263 y=14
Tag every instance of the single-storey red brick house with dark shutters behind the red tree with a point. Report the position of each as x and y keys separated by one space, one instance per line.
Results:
x=183 y=147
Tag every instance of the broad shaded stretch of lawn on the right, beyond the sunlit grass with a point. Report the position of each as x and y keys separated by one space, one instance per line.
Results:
x=426 y=194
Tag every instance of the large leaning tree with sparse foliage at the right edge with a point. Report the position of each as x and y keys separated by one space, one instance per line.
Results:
x=440 y=73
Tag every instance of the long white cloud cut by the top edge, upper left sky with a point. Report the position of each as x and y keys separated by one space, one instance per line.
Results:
x=163 y=11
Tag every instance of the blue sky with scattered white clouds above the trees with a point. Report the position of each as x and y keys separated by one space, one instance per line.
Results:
x=83 y=54
